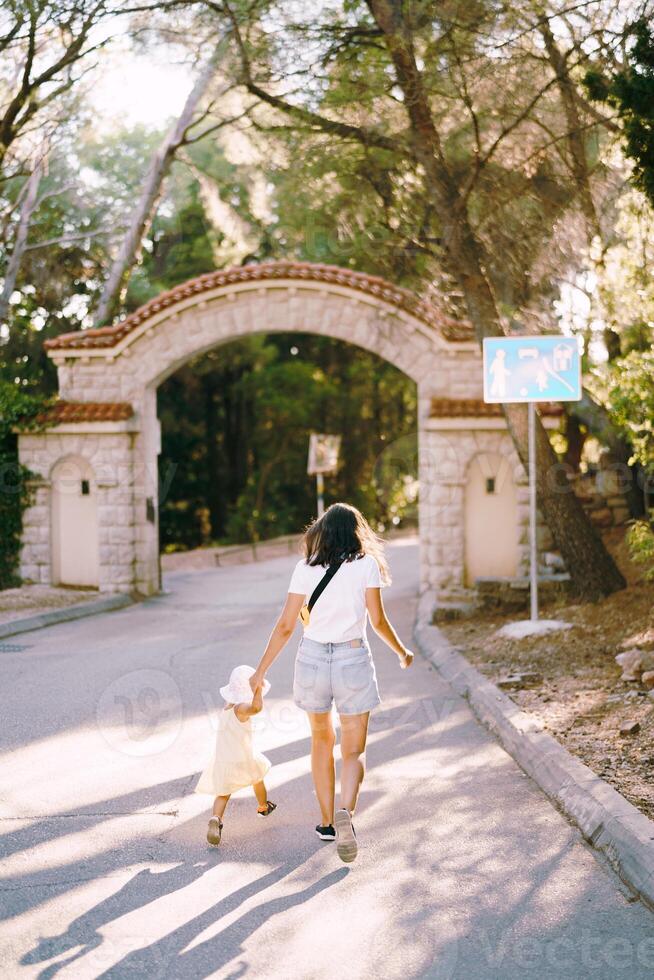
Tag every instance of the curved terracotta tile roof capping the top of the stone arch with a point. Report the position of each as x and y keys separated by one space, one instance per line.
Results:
x=262 y=272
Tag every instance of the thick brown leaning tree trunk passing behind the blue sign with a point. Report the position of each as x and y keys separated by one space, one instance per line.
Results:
x=592 y=570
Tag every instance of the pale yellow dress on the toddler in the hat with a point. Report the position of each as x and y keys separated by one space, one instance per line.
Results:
x=236 y=763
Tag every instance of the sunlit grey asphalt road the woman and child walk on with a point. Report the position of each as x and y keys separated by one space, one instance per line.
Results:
x=465 y=871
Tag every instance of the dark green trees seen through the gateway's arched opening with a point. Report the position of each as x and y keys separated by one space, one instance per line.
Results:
x=238 y=452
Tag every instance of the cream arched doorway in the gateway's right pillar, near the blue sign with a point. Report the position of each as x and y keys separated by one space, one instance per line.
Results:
x=491 y=519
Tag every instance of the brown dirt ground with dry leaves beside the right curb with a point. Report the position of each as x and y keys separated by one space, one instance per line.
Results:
x=580 y=697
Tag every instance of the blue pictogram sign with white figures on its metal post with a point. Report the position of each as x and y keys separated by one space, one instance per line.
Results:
x=532 y=369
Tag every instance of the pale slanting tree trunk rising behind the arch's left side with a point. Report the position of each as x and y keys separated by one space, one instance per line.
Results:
x=130 y=249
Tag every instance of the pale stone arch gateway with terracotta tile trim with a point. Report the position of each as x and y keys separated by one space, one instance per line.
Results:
x=106 y=413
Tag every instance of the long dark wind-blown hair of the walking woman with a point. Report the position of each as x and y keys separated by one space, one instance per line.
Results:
x=343 y=530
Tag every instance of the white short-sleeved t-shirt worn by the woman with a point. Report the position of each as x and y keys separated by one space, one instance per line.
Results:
x=340 y=612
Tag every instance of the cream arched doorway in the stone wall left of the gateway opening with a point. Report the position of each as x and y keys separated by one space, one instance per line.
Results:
x=74 y=521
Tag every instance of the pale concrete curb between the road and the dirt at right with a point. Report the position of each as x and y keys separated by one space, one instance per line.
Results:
x=605 y=818
